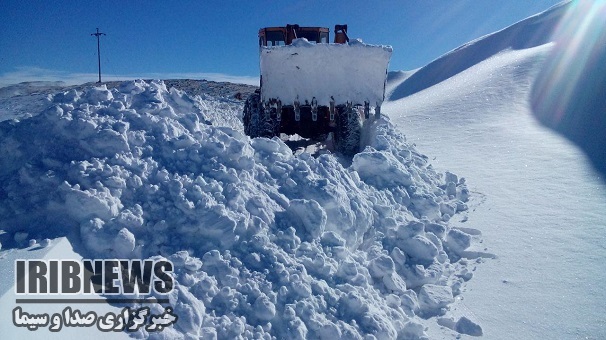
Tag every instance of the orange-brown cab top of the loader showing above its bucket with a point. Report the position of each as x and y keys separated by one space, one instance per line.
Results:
x=280 y=36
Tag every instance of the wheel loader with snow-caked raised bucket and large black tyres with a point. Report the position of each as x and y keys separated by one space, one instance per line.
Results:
x=314 y=88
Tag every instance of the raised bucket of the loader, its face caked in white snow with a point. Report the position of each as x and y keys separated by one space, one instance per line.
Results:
x=354 y=72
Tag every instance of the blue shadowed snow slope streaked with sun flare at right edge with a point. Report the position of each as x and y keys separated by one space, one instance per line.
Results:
x=569 y=94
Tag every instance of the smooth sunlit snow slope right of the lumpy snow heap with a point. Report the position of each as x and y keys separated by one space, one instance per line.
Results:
x=543 y=209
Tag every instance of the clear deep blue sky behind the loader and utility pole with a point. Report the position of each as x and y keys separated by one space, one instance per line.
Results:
x=217 y=40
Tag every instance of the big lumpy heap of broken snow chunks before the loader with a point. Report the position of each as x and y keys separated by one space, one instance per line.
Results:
x=264 y=243
